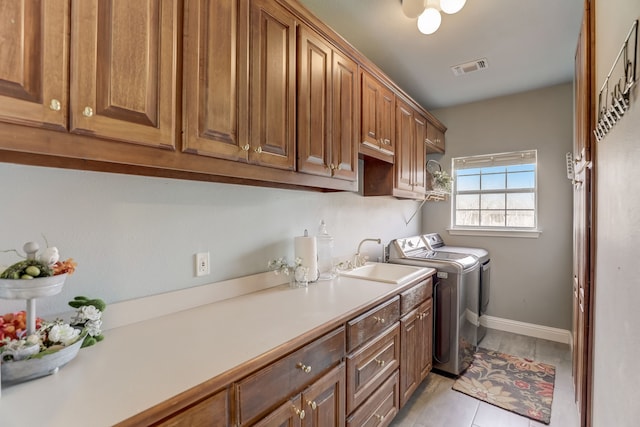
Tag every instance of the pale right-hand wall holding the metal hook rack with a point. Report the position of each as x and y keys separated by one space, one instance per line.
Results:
x=617 y=317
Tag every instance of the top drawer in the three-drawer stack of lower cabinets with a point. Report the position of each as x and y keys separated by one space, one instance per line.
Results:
x=368 y=325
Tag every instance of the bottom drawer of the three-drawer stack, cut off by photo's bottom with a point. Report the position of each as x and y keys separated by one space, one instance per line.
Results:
x=380 y=408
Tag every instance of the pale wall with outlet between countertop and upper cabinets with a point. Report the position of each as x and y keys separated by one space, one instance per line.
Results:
x=136 y=236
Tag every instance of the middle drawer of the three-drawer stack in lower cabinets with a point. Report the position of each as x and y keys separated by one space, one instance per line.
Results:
x=371 y=365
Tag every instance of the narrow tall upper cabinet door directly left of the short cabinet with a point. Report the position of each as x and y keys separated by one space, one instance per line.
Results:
x=344 y=123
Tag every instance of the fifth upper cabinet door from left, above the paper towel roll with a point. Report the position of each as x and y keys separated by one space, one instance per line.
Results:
x=314 y=103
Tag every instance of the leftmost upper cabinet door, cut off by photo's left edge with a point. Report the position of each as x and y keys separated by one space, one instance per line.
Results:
x=34 y=59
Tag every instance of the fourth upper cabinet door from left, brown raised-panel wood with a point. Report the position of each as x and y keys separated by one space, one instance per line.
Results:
x=272 y=83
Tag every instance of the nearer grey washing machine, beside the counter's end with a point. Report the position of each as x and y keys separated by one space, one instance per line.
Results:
x=456 y=300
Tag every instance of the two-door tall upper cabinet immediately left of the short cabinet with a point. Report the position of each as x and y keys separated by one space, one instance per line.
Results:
x=327 y=109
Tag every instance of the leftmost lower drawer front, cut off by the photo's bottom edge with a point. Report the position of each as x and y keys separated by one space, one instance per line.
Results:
x=213 y=411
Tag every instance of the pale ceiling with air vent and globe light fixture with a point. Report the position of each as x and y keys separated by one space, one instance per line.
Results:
x=528 y=44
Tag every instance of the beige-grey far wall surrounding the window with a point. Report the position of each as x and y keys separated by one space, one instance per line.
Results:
x=530 y=278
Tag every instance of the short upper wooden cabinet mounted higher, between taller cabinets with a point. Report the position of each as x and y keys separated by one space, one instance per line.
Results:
x=377 y=136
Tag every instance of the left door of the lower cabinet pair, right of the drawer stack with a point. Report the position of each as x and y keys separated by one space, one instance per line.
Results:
x=410 y=341
